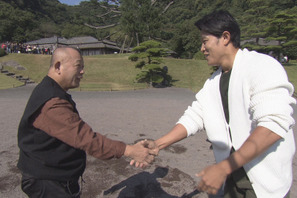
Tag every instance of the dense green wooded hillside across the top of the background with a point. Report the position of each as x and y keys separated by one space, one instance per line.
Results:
x=130 y=22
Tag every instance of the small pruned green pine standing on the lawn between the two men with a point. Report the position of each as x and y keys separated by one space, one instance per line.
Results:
x=148 y=56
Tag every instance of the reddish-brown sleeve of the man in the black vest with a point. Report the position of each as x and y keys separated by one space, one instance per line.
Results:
x=58 y=119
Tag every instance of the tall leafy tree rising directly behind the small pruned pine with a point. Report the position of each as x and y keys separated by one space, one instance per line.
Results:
x=139 y=20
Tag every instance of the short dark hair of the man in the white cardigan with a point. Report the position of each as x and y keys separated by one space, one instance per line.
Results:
x=217 y=22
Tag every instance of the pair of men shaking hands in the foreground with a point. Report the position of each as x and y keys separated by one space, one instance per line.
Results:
x=245 y=108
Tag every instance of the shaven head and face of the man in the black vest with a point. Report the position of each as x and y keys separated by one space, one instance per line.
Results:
x=66 y=67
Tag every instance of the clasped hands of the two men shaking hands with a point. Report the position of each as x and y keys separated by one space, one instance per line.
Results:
x=142 y=153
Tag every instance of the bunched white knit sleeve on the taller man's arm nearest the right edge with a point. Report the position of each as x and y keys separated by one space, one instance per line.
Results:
x=271 y=98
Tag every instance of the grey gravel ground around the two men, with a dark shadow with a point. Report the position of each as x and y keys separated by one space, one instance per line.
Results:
x=126 y=116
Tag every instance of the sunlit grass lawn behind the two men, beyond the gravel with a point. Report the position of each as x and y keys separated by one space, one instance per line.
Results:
x=116 y=72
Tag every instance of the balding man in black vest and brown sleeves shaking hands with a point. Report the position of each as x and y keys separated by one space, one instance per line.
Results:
x=54 y=140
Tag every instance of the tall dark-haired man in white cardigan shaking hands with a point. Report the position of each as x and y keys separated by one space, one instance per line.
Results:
x=245 y=107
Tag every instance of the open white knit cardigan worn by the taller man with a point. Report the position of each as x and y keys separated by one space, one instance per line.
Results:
x=259 y=95
